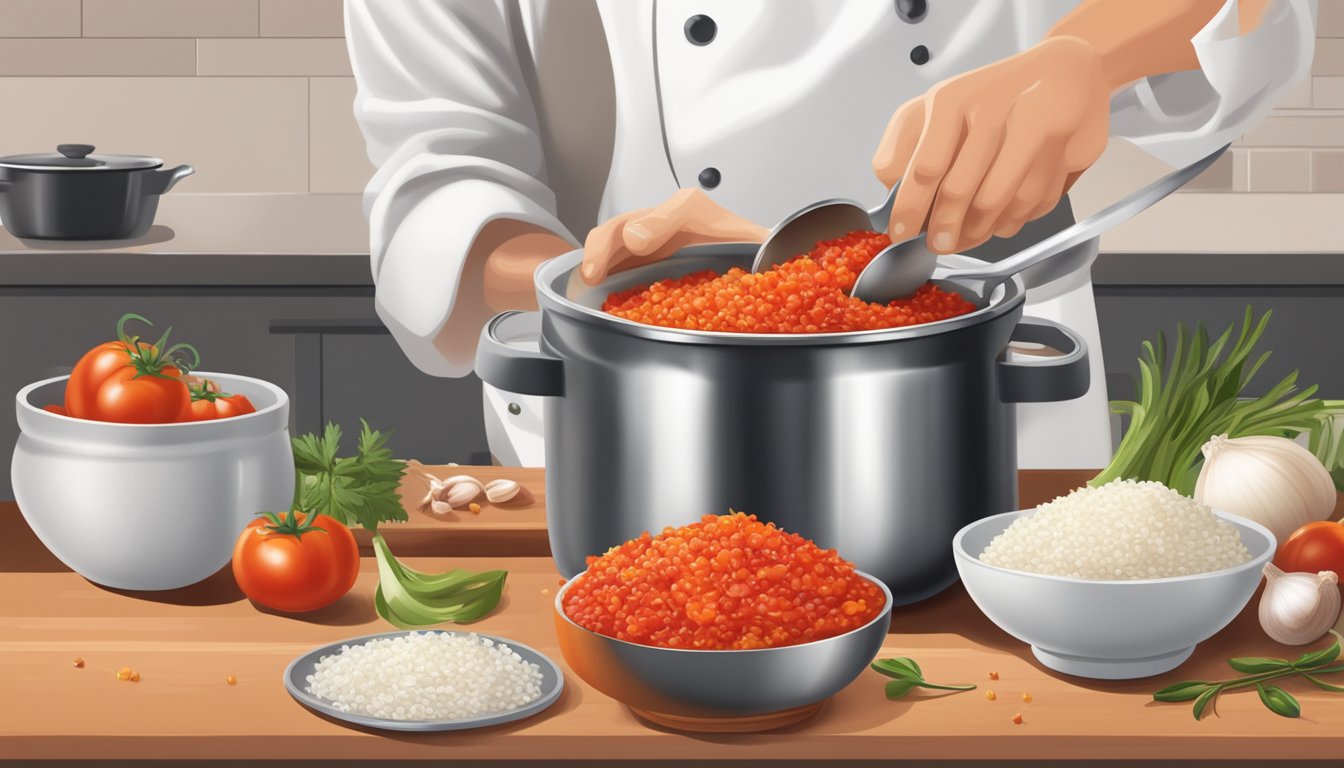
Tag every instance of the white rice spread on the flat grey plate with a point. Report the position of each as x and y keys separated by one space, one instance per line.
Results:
x=427 y=676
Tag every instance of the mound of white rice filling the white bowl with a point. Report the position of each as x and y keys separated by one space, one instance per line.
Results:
x=1122 y=531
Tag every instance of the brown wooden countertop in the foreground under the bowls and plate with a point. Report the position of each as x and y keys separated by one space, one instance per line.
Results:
x=185 y=644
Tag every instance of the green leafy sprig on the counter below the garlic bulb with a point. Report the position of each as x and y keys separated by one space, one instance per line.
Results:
x=1260 y=672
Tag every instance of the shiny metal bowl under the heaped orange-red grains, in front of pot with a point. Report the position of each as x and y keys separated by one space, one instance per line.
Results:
x=759 y=689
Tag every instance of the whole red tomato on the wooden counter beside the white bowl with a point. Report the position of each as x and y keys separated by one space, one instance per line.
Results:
x=286 y=563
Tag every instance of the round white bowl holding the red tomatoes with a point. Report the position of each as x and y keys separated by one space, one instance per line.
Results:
x=150 y=506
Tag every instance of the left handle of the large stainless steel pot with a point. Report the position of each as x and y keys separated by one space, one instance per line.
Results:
x=513 y=369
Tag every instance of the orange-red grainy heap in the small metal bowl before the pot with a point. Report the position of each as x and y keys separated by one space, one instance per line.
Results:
x=726 y=583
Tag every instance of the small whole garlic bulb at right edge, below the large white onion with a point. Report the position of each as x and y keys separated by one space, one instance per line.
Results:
x=1298 y=609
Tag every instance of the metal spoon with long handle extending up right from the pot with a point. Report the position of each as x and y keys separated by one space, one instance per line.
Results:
x=902 y=268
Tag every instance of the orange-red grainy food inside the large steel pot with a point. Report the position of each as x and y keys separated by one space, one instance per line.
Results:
x=808 y=294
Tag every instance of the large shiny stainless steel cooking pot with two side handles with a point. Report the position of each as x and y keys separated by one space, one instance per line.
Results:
x=881 y=445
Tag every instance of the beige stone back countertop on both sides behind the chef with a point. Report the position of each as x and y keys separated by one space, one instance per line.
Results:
x=1191 y=239
